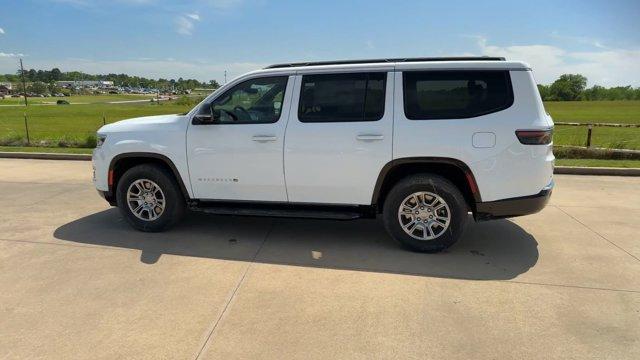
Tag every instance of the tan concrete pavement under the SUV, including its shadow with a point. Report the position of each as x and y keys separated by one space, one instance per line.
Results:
x=77 y=282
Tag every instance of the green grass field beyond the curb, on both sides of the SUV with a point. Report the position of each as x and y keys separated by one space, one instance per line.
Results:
x=69 y=124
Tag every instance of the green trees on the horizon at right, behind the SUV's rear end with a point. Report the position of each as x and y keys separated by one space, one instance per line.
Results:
x=573 y=87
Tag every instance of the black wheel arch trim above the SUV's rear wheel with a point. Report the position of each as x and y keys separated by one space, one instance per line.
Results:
x=453 y=170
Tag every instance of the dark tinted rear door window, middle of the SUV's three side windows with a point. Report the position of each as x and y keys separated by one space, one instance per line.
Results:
x=342 y=97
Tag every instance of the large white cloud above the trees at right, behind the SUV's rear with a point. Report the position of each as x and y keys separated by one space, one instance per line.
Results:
x=602 y=66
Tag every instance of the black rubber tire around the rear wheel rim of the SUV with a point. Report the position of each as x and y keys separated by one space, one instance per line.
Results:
x=428 y=183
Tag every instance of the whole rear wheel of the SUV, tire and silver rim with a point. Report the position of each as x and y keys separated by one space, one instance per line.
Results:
x=425 y=213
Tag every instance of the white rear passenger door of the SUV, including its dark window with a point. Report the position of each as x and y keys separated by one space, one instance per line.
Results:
x=339 y=135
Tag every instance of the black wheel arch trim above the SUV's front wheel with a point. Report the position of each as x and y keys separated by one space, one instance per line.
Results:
x=125 y=161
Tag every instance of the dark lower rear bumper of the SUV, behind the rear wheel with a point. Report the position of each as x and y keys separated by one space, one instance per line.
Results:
x=514 y=206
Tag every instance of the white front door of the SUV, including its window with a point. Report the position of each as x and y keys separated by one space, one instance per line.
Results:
x=239 y=155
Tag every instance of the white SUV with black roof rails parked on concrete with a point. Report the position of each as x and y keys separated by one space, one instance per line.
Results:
x=422 y=142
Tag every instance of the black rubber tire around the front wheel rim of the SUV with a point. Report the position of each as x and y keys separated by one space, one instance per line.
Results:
x=175 y=204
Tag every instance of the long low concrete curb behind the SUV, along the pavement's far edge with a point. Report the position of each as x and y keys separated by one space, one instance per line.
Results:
x=567 y=170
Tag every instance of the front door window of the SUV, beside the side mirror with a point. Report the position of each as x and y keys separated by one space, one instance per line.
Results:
x=255 y=101
